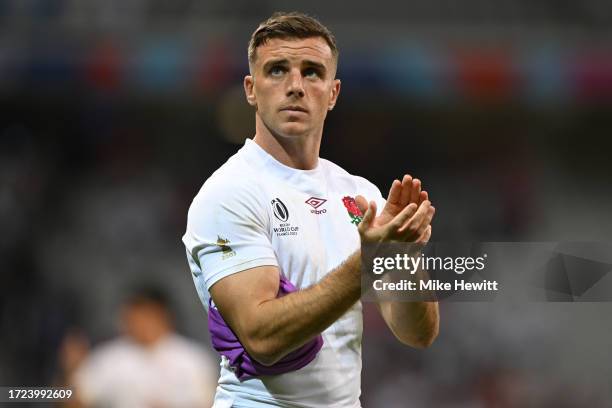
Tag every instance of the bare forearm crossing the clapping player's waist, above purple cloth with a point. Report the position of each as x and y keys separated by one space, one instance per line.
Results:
x=286 y=323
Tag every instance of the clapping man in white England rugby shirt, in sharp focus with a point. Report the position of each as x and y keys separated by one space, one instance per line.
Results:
x=273 y=242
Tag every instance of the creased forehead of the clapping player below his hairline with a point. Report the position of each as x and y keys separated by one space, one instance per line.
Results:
x=295 y=49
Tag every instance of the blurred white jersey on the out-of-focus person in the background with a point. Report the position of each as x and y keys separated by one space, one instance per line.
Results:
x=174 y=372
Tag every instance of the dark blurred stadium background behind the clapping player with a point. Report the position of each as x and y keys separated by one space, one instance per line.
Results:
x=113 y=113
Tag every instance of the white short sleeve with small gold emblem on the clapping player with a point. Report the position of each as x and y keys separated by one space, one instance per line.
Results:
x=227 y=231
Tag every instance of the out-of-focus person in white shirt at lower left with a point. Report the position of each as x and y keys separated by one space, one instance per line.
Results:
x=148 y=366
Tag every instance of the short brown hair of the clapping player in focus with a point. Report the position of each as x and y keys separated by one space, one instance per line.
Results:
x=290 y=25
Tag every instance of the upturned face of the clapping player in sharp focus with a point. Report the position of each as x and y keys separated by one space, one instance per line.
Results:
x=292 y=85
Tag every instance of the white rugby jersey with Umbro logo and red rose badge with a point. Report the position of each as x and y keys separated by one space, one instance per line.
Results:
x=255 y=211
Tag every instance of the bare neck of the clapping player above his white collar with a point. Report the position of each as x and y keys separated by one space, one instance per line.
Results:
x=299 y=151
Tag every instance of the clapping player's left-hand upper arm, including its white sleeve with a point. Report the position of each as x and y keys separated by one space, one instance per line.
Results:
x=231 y=253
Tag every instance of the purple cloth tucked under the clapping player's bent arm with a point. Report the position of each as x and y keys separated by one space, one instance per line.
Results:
x=227 y=344
